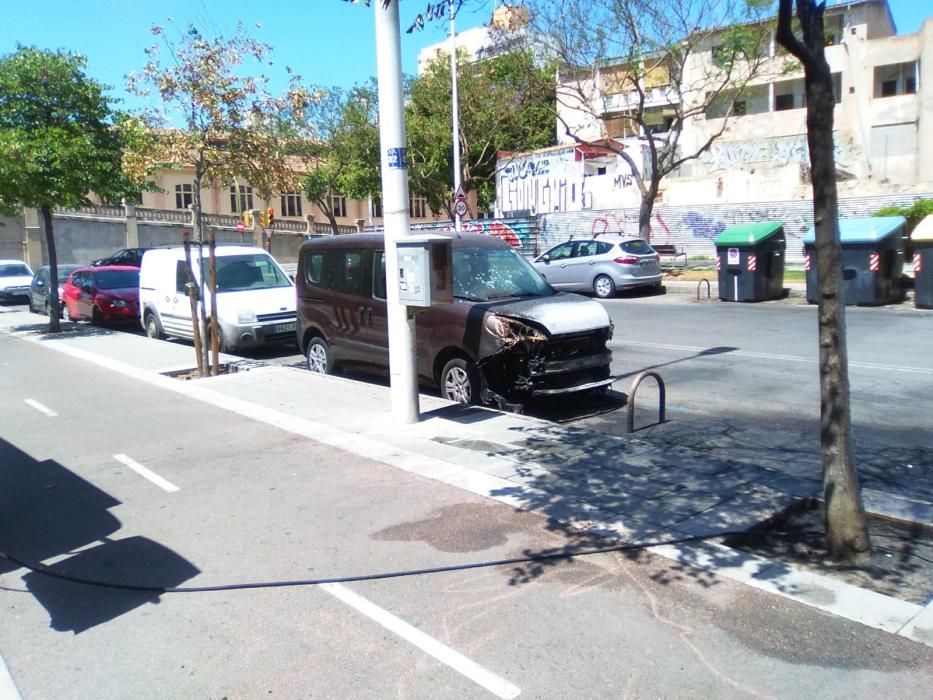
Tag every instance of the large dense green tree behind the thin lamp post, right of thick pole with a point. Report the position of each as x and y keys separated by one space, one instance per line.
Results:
x=506 y=103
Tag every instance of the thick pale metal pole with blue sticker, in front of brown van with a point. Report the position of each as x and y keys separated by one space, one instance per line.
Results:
x=403 y=377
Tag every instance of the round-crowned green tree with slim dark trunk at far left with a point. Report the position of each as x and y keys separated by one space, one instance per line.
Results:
x=58 y=142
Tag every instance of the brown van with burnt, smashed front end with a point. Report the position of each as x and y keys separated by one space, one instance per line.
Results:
x=507 y=337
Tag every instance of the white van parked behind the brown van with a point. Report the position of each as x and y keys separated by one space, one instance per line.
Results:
x=255 y=298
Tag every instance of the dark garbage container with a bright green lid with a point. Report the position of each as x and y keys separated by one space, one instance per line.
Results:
x=750 y=261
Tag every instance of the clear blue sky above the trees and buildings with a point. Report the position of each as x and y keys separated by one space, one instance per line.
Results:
x=328 y=42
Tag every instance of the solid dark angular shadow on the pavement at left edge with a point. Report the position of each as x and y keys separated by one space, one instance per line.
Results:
x=47 y=512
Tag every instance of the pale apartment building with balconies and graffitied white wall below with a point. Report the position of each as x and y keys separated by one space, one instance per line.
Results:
x=883 y=126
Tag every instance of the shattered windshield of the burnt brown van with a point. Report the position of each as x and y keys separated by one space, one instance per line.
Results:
x=481 y=274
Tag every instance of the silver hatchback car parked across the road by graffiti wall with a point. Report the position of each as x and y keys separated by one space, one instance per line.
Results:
x=601 y=265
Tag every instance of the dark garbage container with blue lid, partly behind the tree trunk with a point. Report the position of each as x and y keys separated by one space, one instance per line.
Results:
x=872 y=260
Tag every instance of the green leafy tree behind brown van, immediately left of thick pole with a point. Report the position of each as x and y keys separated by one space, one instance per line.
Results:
x=337 y=140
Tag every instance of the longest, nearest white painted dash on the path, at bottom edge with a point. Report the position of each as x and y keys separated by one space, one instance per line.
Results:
x=496 y=685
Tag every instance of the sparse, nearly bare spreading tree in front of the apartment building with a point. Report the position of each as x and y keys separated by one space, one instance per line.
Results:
x=636 y=50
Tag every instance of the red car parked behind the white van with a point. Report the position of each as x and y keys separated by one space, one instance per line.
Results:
x=108 y=294
